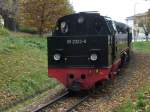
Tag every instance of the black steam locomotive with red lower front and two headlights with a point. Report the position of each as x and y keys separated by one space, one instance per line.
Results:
x=87 y=48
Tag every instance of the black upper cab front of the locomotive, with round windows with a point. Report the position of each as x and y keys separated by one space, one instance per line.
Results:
x=81 y=24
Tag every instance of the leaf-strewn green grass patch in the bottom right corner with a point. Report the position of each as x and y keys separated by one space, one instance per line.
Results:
x=139 y=103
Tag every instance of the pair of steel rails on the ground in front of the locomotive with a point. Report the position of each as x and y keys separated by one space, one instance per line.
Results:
x=80 y=100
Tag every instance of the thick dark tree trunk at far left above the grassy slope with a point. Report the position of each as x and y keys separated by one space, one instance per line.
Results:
x=10 y=23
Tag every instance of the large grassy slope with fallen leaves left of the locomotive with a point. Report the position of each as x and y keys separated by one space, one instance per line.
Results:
x=23 y=67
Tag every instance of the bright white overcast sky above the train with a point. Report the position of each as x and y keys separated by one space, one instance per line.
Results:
x=116 y=9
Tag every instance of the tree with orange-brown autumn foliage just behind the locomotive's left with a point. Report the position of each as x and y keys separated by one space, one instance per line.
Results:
x=42 y=14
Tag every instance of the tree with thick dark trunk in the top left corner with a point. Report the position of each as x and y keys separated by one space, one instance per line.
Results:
x=8 y=10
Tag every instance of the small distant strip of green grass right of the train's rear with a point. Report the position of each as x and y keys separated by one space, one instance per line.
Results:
x=143 y=47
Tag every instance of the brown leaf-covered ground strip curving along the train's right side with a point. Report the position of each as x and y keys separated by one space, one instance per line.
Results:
x=126 y=83
